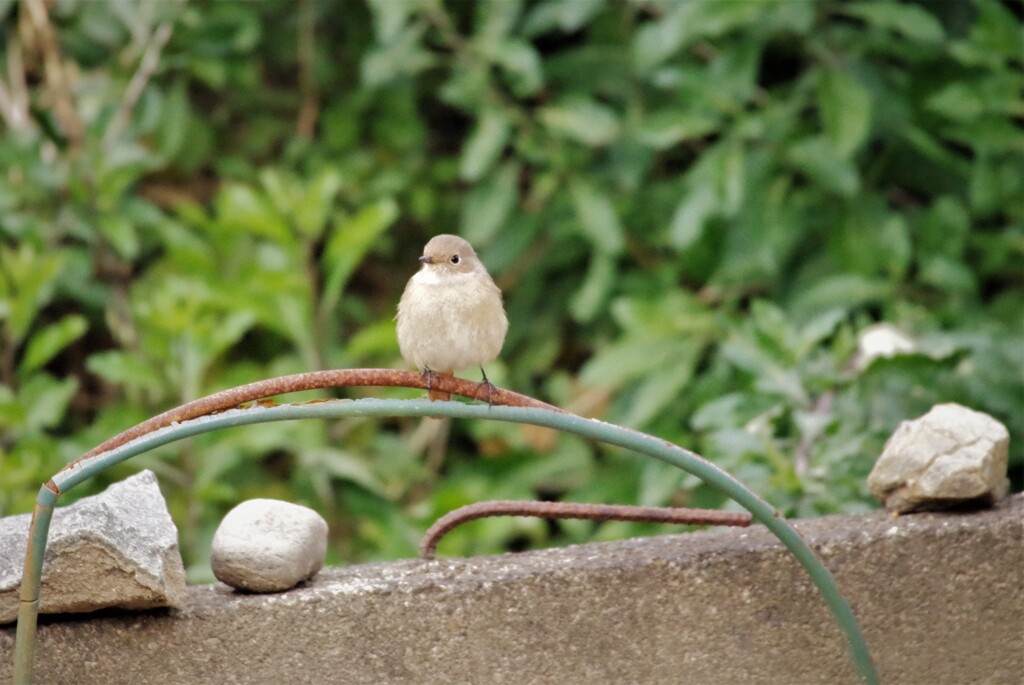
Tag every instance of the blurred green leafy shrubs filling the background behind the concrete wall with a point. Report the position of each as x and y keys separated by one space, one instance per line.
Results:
x=694 y=208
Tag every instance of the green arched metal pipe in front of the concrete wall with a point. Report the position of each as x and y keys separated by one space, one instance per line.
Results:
x=587 y=429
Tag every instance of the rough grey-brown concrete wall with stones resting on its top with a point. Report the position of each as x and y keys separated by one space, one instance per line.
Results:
x=941 y=597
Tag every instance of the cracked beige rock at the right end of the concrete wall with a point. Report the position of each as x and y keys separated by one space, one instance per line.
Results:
x=951 y=456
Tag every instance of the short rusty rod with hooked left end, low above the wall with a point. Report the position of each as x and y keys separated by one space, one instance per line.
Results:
x=576 y=510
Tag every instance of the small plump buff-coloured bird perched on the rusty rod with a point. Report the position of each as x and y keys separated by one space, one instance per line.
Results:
x=451 y=316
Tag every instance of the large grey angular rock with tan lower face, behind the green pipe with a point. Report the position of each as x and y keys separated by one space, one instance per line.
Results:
x=116 y=549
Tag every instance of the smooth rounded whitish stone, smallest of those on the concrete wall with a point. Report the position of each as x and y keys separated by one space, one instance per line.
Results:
x=269 y=546
